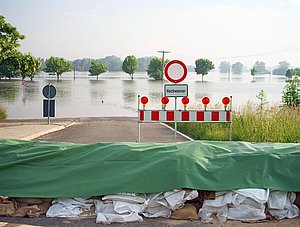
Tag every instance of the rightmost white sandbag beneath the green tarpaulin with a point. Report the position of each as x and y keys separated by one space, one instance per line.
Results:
x=281 y=205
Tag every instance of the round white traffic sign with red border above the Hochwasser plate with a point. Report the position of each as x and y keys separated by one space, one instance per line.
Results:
x=175 y=71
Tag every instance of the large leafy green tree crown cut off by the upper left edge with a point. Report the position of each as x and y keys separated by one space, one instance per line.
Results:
x=9 y=40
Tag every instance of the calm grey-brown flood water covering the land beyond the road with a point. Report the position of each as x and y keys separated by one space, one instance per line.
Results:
x=115 y=94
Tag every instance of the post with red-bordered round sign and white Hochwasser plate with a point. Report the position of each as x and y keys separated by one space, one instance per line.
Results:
x=176 y=71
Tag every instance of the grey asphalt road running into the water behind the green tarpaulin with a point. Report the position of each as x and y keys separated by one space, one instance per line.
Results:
x=93 y=130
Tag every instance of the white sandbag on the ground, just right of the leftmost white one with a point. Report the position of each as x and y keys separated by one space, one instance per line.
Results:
x=106 y=214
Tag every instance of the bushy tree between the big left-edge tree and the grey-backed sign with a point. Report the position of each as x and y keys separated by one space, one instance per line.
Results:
x=29 y=66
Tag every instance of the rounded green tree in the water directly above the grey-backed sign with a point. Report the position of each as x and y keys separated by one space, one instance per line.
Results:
x=57 y=66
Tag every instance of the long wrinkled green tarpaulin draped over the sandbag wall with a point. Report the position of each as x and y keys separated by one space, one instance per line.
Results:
x=55 y=170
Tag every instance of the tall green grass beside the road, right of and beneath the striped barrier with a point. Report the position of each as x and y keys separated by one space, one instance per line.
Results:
x=272 y=124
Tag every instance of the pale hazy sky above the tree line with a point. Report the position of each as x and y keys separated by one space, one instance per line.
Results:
x=220 y=30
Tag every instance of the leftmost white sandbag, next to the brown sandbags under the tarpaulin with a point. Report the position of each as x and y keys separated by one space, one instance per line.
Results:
x=69 y=207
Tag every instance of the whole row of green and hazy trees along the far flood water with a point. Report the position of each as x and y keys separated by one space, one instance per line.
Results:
x=13 y=63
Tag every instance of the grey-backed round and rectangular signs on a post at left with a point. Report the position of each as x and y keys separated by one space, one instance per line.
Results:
x=49 y=92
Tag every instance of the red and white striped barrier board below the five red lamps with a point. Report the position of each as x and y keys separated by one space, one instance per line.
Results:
x=184 y=116
